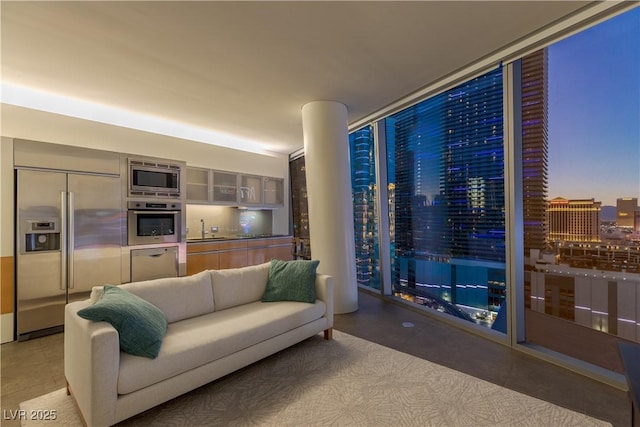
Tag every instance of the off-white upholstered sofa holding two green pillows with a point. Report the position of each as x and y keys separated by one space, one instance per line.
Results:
x=216 y=325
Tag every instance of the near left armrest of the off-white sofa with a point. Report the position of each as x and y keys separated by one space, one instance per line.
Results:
x=91 y=365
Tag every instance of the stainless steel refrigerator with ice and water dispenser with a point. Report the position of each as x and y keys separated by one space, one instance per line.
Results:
x=68 y=239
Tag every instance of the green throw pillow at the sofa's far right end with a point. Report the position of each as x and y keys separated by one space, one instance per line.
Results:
x=291 y=281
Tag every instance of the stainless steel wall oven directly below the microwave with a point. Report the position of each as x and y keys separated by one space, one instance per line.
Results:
x=153 y=222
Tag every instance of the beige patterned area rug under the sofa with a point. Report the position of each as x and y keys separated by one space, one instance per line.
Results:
x=344 y=382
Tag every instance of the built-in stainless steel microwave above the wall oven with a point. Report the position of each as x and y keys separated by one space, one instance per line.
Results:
x=154 y=179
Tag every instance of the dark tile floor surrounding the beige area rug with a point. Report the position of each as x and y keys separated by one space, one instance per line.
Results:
x=32 y=368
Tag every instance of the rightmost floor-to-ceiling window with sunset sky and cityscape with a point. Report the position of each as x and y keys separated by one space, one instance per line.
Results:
x=581 y=179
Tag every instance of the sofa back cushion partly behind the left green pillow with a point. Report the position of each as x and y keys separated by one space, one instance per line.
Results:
x=178 y=297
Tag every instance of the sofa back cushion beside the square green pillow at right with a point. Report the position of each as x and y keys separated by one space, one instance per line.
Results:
x=237 y=286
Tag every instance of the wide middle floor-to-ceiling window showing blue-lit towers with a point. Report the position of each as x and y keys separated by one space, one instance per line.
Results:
x=445 y=172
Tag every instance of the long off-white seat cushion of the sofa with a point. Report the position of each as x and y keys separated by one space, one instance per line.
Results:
x=197 y=341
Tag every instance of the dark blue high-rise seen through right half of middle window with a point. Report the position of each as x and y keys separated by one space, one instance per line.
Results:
x=473 y=169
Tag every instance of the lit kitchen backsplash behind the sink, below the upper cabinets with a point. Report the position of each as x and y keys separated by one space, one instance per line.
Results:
x=230 y=221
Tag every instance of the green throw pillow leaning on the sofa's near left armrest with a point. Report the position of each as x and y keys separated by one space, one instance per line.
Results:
x=141 y=325
